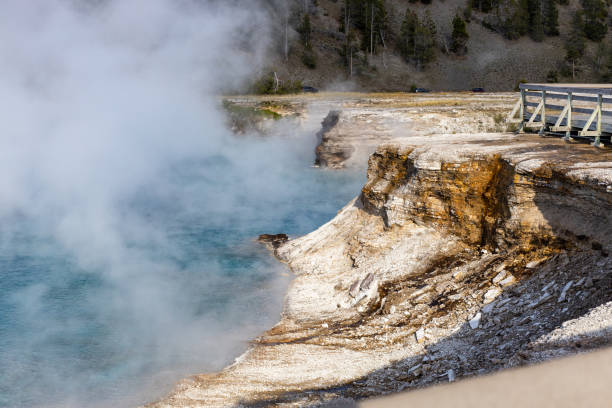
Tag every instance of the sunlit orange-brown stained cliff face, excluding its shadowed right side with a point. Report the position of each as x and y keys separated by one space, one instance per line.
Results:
x=467 y=197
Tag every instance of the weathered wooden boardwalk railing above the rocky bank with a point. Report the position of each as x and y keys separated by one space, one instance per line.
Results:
x=588 y=118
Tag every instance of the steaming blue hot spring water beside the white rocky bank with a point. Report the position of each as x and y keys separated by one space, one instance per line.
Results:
x=118 y=328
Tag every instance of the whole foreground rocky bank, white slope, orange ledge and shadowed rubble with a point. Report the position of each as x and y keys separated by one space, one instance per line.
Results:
x=456 y=259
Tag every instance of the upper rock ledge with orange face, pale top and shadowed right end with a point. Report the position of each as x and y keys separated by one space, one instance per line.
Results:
x=492 y=196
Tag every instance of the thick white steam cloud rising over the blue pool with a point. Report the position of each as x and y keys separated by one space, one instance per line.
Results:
x=104 y=103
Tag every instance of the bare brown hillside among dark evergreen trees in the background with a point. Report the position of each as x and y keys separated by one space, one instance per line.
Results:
x=492 y=62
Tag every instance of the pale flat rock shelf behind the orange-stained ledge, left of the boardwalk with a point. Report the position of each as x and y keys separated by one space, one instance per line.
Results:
x=349 y=134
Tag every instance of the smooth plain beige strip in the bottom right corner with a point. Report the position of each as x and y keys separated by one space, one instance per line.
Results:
x=578 y=381
